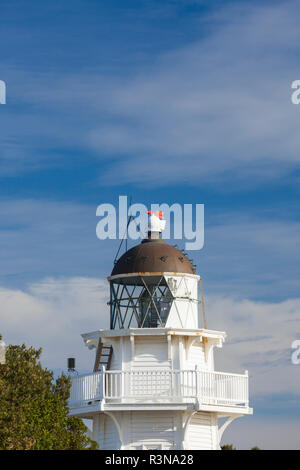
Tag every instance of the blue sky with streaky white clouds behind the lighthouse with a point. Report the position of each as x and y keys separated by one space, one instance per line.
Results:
x=175 y=101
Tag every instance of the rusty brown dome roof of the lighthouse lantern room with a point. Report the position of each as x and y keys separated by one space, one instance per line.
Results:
x=153 y=255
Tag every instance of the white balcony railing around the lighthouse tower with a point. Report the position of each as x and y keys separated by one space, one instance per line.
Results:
x=209 y=387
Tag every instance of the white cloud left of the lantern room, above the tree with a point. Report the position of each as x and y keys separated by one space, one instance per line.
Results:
x=52 y=314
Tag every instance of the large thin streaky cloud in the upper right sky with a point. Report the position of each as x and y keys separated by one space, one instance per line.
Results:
x=219 y=105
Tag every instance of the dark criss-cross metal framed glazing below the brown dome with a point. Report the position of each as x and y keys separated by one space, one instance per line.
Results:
x=141 y=301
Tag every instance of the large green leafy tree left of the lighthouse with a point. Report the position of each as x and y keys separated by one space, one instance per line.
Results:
x=33 y=407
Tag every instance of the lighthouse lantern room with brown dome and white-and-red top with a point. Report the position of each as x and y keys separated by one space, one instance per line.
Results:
x=153 y=285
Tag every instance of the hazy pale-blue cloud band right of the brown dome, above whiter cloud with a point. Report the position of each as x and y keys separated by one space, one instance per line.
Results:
x=250 y=257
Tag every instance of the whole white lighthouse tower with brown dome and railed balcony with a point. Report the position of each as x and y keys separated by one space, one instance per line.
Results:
x=154 y=385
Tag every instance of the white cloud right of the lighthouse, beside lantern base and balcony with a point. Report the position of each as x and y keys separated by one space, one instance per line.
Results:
x=260 y=335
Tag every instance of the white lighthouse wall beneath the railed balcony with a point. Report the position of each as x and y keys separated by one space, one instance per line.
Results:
x=156 y=430
